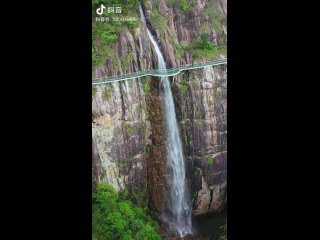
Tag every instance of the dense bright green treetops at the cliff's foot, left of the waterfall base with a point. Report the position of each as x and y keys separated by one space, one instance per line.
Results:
x=115 y=218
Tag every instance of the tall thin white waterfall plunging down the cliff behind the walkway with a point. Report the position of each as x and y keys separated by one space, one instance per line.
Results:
x=181 y=209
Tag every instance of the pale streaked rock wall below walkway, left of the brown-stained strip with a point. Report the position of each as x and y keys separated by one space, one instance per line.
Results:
x=120 y=132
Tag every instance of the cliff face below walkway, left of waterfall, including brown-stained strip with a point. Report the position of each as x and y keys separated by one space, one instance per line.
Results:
x=128 y=138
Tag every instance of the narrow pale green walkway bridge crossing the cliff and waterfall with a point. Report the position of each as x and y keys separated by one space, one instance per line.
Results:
x=157 y=73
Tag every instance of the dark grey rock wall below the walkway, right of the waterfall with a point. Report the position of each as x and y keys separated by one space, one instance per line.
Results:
x=201 y=100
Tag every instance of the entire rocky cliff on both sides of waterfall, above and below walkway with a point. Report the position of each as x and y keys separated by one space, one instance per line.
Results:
x=127 y=124
